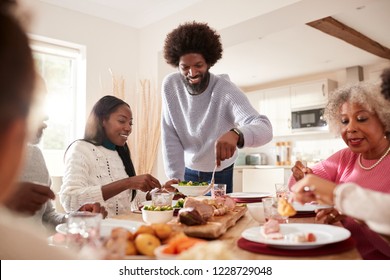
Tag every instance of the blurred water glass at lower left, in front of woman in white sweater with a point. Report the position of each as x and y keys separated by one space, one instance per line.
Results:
x=83 y=229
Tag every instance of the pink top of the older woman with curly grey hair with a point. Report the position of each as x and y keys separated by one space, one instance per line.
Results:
x=343 y=167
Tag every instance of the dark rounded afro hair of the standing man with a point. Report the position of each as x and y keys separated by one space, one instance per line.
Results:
x=193 y=37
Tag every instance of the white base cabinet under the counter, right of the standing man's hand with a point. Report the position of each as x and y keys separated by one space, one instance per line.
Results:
x=261 y=179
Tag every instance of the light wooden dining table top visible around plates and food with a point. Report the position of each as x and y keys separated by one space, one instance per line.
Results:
x=233 y=234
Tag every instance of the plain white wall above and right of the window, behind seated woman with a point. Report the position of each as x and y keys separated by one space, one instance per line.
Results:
x=108 y=45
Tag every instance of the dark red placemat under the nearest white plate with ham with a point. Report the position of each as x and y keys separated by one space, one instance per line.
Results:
x=261 y=248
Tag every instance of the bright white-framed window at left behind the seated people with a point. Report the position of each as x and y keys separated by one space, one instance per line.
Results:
x=62 y=66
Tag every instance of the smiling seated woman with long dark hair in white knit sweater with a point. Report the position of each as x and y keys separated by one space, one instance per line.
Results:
x=98 y=168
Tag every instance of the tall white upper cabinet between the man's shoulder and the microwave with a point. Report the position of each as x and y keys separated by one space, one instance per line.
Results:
x=276 y=105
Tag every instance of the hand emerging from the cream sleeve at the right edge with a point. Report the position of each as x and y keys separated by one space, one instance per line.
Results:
x=313 y=188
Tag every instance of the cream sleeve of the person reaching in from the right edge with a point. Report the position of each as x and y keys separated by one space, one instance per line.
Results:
x=367 y=205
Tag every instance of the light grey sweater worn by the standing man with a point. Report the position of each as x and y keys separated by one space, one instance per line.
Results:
x=192 y=123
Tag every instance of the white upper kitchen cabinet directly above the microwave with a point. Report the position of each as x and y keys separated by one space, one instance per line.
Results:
x=311 y=94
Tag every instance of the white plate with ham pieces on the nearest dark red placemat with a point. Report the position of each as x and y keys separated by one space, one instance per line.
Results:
x=325 y=234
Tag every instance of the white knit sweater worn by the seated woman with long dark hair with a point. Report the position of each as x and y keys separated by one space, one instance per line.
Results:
x=87 y=169
